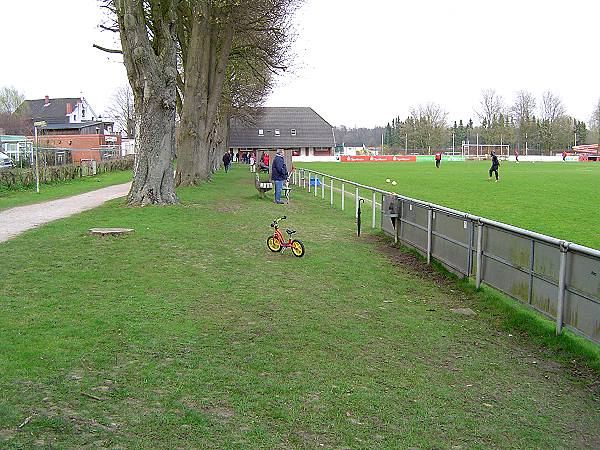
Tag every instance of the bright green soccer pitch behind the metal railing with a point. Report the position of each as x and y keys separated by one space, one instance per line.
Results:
x=557 y=199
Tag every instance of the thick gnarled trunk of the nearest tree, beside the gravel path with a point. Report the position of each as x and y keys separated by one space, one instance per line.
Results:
x=147 y=29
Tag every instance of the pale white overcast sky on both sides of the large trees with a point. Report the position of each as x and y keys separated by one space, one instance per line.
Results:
x=357 y=62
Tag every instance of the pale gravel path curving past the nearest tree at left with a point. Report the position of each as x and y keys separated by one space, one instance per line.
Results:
x=16 y=220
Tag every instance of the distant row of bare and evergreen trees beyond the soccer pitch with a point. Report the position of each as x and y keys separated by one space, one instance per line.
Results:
x=546 y=128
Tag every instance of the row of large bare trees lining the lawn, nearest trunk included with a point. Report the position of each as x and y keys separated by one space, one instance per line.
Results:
x=201 y=62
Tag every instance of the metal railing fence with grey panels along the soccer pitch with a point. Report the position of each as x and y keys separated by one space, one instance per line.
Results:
x=557 y=278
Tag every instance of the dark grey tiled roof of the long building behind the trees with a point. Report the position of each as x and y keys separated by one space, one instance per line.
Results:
x=310 y=128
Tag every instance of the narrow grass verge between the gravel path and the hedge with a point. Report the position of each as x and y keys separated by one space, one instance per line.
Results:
x=10 y=199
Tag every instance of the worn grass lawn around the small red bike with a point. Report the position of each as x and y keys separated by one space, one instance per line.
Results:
x=191 y=334
